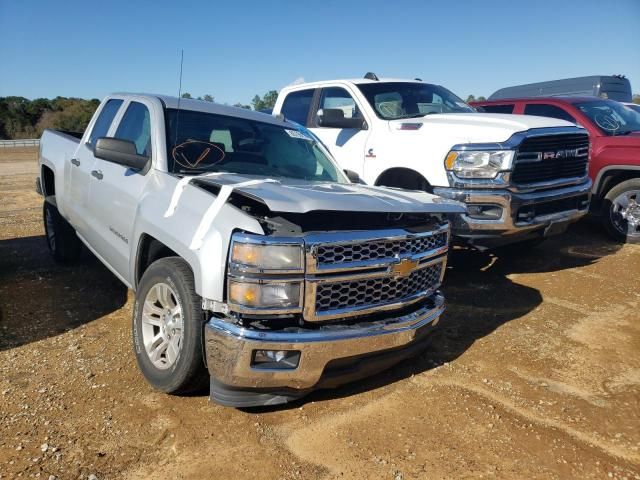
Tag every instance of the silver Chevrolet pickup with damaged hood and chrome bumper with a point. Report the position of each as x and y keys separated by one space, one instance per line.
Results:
x=250 y=252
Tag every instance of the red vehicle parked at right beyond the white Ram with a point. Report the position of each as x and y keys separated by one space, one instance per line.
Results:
x=615 y=153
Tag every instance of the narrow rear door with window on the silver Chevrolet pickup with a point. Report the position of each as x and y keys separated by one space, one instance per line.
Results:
x=79 y=168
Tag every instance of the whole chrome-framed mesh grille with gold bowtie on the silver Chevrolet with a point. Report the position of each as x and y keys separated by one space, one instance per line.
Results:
x=364 y=272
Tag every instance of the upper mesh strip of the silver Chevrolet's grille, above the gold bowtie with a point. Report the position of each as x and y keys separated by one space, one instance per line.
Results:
x=378 y=249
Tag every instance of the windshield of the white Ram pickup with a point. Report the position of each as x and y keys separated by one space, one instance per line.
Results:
x=393 y=100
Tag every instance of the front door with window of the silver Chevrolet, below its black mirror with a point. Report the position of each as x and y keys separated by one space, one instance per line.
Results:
x=115 y=191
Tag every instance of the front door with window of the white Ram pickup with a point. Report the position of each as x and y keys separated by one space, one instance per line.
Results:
x=348 y=145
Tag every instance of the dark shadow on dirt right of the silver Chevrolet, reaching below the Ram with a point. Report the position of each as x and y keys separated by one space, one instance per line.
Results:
x=481 y=297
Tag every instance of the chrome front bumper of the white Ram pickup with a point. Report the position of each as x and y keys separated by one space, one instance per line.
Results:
x=523 y=213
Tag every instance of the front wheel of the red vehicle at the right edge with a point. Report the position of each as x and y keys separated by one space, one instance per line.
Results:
x=621 y=211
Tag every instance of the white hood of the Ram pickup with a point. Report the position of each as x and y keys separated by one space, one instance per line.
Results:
x=478 y=127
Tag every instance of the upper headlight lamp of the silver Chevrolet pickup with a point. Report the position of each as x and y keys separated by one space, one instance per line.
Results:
x=267 y=257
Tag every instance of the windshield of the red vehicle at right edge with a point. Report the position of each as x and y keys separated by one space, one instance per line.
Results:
x=612 y=117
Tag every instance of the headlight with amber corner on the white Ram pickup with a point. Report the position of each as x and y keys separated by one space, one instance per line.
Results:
x=479 y=164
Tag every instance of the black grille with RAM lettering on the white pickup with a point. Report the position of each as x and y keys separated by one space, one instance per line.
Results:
x=551 y=157
